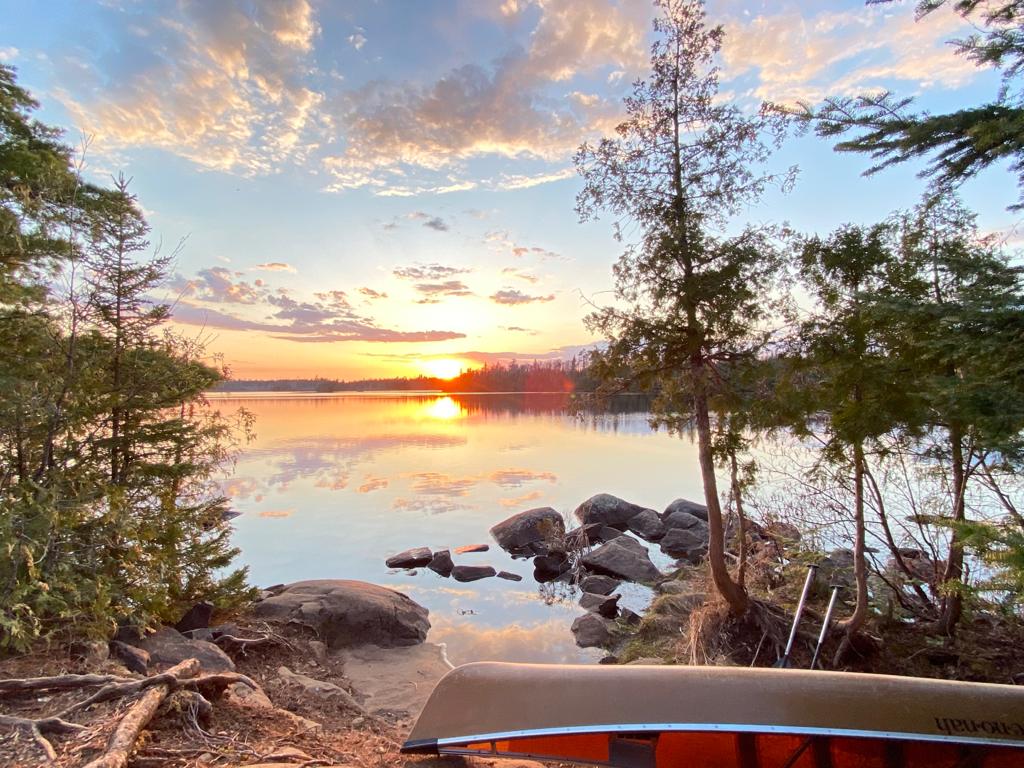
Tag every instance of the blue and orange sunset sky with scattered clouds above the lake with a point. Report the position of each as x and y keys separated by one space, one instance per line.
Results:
x=387 y=188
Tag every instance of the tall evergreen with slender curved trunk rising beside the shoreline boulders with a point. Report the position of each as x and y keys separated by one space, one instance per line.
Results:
x=682 y=163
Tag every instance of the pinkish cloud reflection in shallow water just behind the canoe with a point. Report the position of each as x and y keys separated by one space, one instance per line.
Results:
x=544 y=642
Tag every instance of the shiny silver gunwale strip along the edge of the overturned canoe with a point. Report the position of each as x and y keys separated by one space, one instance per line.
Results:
x=450 y=744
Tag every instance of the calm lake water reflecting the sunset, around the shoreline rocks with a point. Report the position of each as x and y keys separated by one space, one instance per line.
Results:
x=333 y=485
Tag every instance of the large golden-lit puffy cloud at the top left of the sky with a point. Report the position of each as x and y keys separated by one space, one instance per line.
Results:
x=222 y=84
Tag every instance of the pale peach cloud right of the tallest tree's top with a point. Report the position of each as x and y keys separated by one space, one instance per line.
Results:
x=797 y=56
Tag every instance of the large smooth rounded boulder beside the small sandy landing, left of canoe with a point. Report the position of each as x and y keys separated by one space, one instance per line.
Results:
x=348 y=613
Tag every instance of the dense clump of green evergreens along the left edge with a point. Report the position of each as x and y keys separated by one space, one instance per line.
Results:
x=110 y=513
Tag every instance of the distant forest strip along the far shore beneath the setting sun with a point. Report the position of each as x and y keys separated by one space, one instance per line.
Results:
x=549 y=376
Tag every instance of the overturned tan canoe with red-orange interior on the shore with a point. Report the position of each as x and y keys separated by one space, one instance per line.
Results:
x=715 y=717
